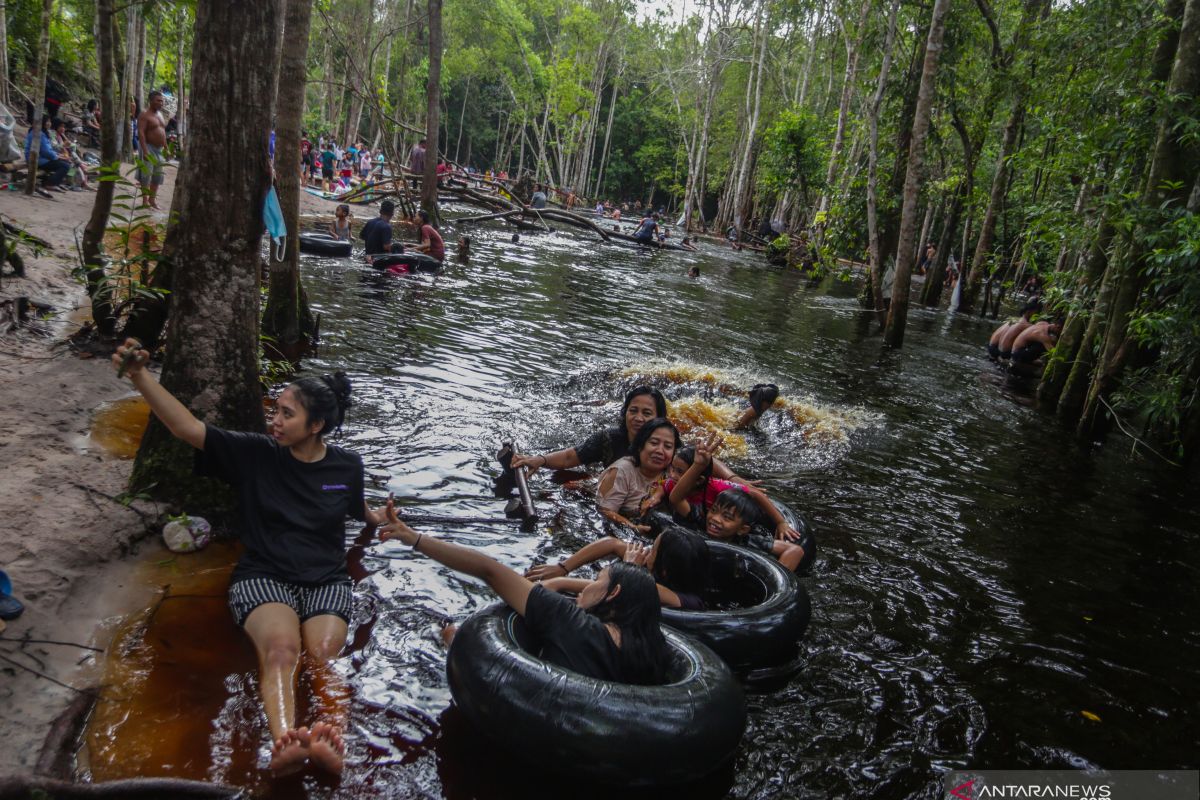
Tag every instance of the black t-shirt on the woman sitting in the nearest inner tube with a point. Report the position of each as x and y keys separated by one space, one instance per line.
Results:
x=571 y=637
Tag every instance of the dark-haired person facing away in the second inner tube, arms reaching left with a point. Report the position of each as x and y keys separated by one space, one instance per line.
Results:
x=677 y=560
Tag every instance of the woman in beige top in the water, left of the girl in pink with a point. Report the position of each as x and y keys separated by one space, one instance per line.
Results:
x=634 y=484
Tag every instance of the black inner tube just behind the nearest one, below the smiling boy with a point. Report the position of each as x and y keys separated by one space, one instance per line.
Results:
x=758 y=610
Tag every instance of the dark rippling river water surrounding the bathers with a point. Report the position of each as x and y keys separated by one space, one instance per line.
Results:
x=987 y=596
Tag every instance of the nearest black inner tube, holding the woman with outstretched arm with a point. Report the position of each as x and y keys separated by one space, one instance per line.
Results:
x=617 y=735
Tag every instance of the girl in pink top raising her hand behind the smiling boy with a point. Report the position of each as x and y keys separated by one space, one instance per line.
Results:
x=692 y=490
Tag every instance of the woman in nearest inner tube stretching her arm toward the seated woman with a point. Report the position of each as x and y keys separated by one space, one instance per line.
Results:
x=610 y=633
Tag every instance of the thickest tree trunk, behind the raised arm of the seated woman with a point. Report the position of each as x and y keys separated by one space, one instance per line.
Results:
x=214 y=244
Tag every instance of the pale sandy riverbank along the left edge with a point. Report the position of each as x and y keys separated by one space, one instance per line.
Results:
x=64 y=542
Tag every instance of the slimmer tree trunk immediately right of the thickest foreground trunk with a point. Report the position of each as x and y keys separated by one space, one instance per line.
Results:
x=287 y=318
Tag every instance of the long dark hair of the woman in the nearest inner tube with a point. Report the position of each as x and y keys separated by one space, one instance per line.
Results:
x=638 y=615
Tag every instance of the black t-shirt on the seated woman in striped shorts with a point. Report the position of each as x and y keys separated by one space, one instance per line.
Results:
x=293 y=514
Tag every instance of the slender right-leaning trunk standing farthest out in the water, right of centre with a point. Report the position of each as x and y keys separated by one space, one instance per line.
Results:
x=898 y=312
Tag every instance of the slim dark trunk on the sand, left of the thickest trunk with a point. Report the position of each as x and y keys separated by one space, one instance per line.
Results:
x=94 y=232
